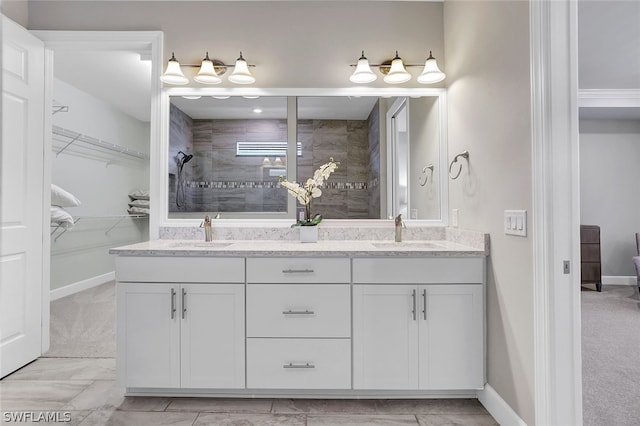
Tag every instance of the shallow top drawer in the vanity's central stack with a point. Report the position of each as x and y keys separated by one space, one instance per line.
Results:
x=298 y=270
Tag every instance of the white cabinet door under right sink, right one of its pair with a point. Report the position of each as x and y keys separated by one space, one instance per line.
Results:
x=451 y=337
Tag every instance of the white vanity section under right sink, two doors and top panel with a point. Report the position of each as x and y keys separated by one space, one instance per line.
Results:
x=418 y=324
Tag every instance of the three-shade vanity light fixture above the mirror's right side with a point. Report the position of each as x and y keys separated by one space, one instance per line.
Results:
x=395 y=71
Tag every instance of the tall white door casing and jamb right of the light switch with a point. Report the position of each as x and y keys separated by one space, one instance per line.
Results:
x=556 y=212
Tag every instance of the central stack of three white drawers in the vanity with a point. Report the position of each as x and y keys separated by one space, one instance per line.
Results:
x=298 y=323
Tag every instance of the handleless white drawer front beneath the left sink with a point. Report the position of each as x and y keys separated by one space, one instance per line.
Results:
x=180 y=269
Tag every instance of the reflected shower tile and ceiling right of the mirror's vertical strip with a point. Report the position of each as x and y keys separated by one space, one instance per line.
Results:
x=347 y=129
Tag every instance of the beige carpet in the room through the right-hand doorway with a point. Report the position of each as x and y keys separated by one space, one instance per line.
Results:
x=611 y=356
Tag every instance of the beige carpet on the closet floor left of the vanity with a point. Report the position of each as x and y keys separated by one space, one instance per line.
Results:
x=83 y=324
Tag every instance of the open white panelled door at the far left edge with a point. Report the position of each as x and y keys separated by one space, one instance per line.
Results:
x=21 y=195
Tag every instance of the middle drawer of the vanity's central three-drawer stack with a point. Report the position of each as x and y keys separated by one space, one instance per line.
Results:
x=298 y=310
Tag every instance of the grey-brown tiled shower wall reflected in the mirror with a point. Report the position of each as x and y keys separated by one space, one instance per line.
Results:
x=220 y=181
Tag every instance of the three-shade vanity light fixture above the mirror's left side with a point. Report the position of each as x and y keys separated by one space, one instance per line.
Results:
x=209 y=73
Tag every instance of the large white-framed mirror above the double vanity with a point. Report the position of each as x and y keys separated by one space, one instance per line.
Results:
x=226 y=154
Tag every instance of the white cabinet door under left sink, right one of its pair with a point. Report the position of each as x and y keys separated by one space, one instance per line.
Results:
x=212 y=317
